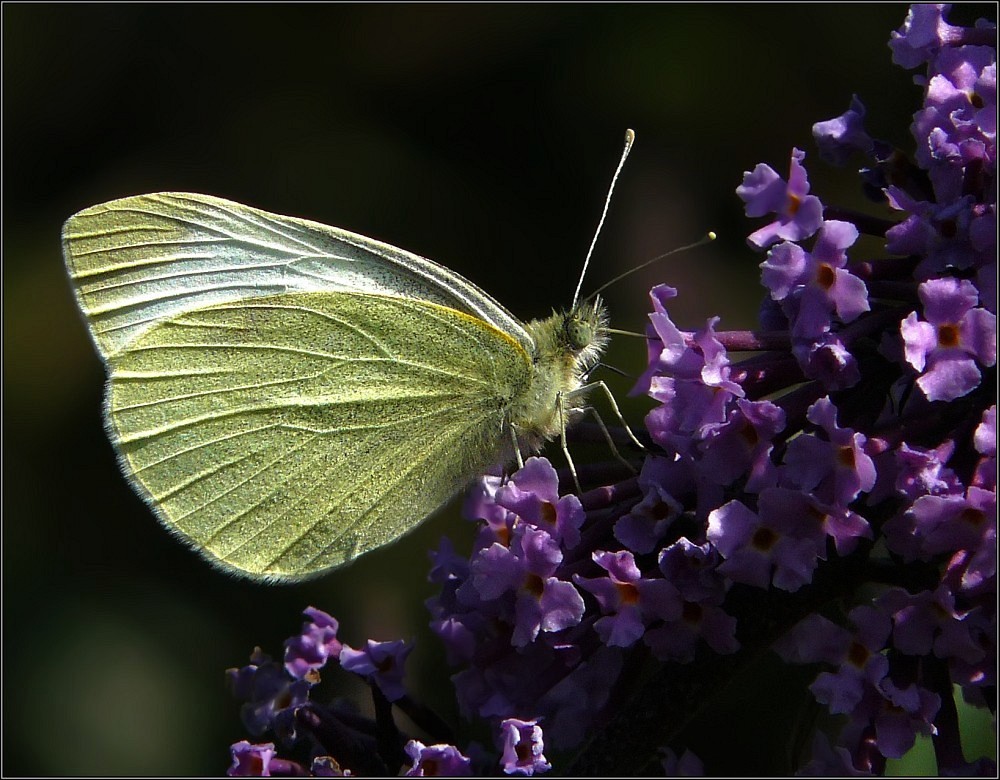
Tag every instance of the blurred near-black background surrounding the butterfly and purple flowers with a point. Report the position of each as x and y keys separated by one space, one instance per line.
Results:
x=481 y=136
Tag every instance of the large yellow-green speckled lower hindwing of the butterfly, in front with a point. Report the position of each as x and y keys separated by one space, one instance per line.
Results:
x=284 y=435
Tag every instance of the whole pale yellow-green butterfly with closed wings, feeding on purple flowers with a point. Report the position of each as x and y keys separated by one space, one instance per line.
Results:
x=287 y=396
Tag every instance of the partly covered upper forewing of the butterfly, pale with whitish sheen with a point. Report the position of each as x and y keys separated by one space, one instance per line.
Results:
x=143 y=259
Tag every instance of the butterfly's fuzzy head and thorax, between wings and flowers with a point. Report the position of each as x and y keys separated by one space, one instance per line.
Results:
x=566 y=345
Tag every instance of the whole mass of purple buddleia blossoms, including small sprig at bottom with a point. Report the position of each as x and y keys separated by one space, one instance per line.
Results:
x=829 y=496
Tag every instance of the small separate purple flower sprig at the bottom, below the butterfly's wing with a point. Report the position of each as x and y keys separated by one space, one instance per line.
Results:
x=310 y=737
